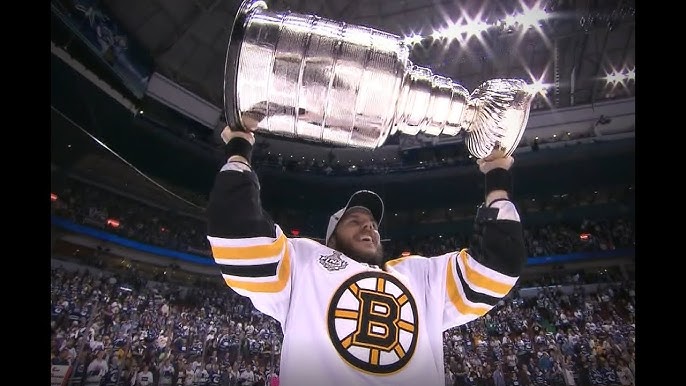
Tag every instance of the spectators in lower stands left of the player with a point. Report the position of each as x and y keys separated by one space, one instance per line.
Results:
x=115 y=333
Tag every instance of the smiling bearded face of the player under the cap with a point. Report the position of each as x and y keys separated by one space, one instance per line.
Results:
x=357 y=237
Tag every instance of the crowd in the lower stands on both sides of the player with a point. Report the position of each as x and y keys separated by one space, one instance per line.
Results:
x=114 y=333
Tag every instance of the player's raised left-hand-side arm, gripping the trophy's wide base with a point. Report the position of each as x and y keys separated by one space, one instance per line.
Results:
x=253 y=254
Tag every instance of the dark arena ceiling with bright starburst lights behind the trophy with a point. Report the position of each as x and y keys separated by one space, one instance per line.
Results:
x=580 y=41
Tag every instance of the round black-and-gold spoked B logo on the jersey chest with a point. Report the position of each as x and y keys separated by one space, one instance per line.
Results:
x=373 y=322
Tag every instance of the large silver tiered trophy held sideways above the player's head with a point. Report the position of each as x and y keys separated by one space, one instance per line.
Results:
x=306 y=77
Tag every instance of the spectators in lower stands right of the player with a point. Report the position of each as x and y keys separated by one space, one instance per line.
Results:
x=556 y=338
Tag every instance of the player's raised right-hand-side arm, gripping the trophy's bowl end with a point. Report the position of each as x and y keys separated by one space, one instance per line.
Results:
x=470 y=282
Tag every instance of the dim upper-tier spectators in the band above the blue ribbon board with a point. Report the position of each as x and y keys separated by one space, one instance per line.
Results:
x=96 y=207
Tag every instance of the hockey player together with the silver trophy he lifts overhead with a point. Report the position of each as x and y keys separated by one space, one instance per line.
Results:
x=349 y=315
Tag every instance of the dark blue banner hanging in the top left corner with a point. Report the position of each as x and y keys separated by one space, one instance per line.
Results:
x=89 y=21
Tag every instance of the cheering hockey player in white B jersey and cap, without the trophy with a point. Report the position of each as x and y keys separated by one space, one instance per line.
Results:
x=350 y=317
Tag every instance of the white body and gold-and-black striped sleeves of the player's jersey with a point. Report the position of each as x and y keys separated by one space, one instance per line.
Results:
x=348 y=323
